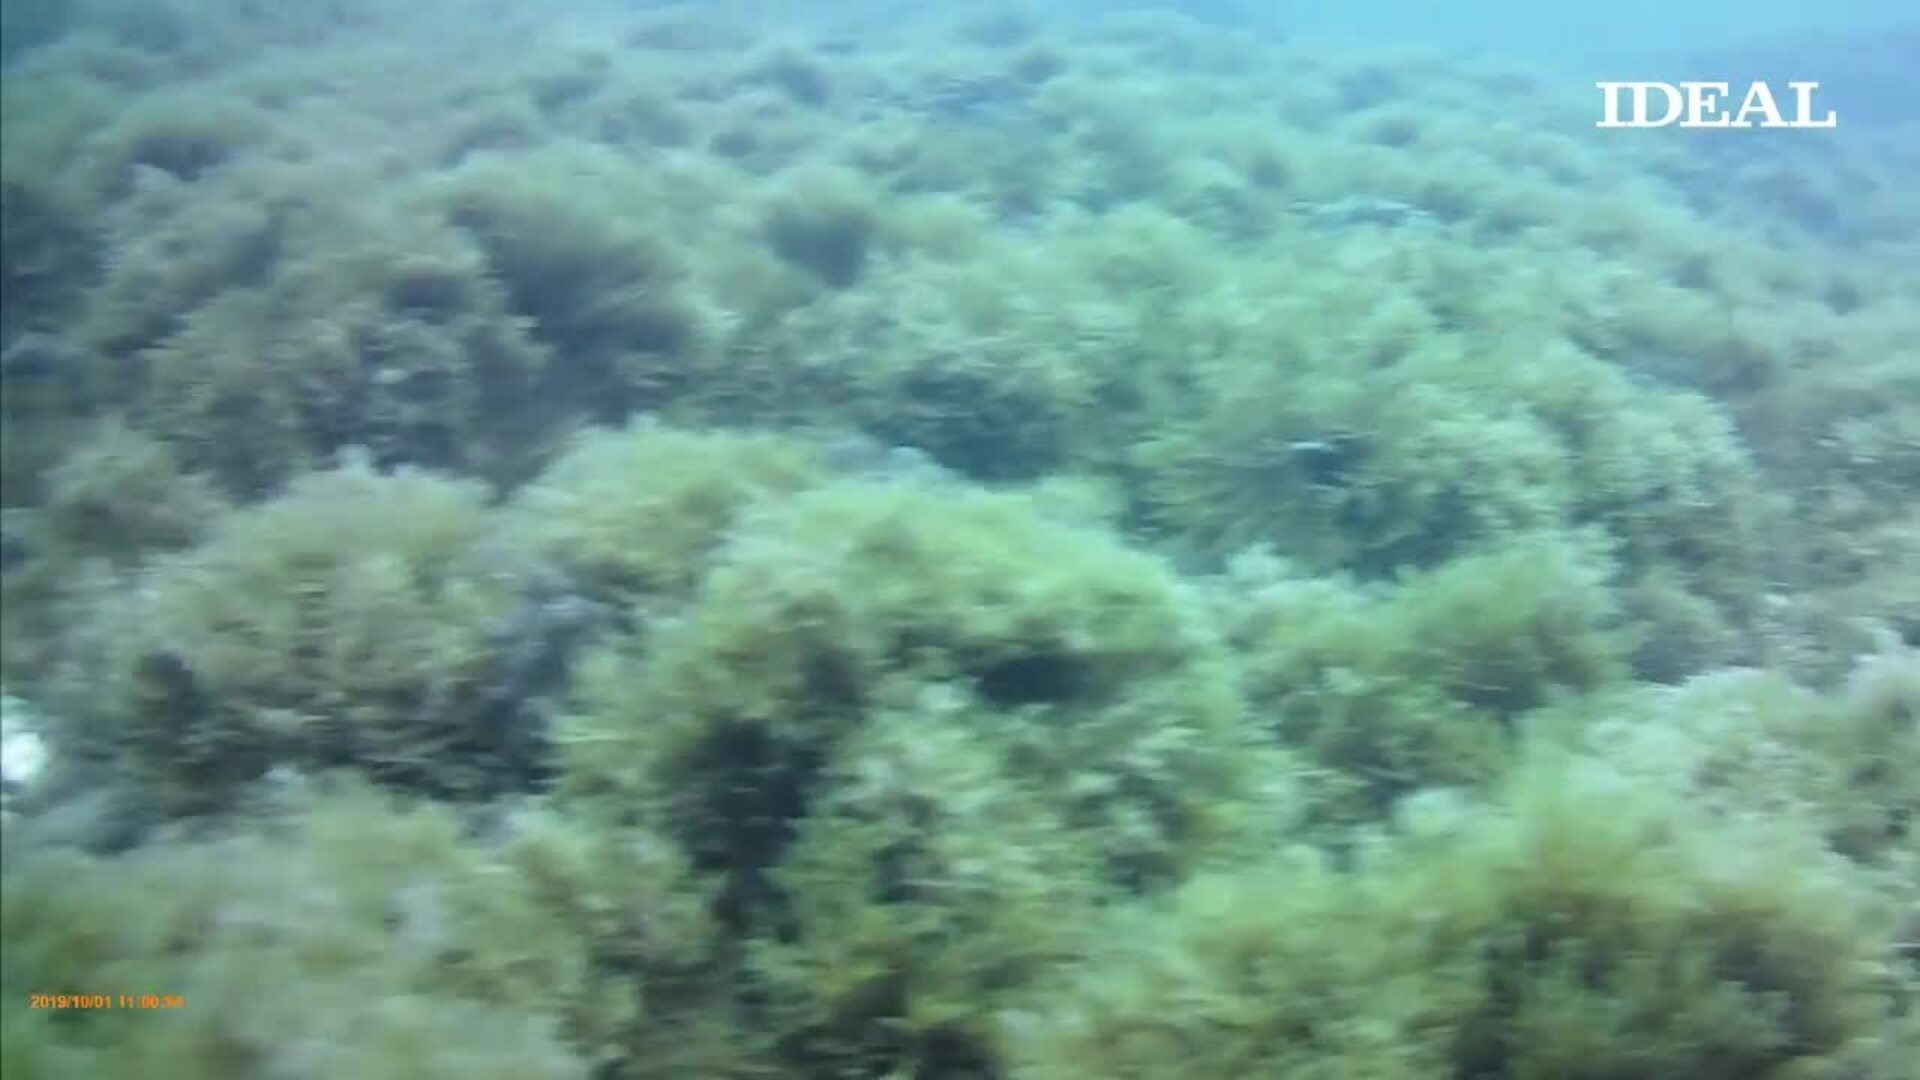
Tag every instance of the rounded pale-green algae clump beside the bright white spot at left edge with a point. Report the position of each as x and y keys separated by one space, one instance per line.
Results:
x=356 y=622
